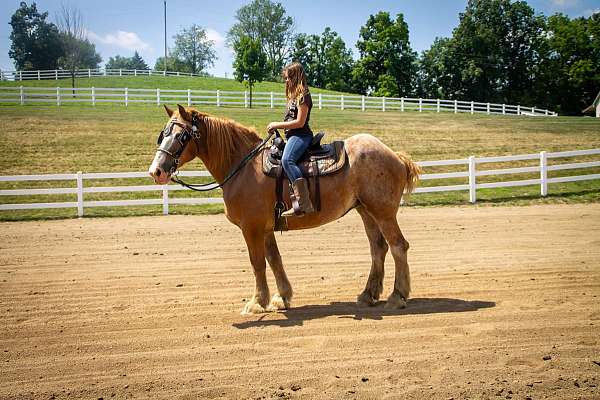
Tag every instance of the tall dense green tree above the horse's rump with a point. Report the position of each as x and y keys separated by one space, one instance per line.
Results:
x=385 y=57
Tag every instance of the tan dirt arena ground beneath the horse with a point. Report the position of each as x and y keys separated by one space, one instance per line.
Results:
x=505 y=304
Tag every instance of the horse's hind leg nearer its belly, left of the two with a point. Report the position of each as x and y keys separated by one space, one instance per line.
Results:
x=379 y=249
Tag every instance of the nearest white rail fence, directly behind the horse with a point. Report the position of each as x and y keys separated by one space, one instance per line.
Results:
x=543 y=168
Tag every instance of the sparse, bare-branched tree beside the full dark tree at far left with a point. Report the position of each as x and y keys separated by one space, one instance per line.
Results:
x=78 y=52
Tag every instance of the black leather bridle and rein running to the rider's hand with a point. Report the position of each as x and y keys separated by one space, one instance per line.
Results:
x=184 y=138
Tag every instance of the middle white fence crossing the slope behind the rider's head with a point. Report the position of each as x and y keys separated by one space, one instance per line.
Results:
x=126 y=96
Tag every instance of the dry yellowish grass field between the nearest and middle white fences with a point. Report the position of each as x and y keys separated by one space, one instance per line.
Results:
x=36 y=139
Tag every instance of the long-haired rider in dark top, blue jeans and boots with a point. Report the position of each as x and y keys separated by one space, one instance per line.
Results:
x=298 y=134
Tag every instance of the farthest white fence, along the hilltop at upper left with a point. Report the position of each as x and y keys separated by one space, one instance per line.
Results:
x=83 y=73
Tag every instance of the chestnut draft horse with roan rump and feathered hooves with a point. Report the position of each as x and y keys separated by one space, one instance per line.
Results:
x=372 y=182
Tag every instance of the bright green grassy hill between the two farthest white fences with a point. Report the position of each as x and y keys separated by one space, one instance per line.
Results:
x=153 y=82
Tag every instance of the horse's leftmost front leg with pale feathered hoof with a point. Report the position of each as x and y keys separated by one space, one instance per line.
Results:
x=256 y=249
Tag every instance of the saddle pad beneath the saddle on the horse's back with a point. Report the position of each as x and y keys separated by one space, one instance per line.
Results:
x=329 y=159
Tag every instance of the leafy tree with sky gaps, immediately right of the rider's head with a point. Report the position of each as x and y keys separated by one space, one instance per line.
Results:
x=326 y=60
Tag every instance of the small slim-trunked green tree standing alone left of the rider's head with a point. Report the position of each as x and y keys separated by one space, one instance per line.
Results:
x=250 y=62
